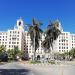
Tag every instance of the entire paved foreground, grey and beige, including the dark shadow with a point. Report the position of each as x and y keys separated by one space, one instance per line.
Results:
x=16 y=68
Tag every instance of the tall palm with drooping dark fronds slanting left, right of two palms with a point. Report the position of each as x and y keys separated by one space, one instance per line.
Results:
x=51 y=34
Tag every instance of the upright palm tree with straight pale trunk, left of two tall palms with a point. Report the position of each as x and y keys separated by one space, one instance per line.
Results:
x=35 y=35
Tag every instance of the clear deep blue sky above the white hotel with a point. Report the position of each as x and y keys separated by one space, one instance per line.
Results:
x=43 y=10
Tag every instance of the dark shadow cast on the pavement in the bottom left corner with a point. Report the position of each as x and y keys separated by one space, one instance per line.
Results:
x=14 y=72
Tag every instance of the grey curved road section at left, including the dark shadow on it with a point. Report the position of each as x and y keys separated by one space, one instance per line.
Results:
x=14 y=68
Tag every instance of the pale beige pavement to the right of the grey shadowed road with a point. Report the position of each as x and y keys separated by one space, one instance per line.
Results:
x=52 y=69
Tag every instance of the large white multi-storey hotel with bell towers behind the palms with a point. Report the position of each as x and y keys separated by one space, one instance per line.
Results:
x=18 y=36
